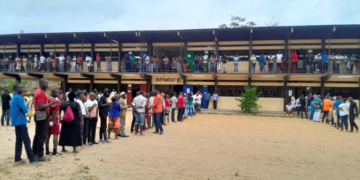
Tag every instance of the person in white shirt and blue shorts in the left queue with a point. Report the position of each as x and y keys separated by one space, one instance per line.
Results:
x=139 y=104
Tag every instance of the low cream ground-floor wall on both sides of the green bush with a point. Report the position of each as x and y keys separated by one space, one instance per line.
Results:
x=268 y=104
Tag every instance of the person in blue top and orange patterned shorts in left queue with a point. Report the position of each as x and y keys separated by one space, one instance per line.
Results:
x=114 y=118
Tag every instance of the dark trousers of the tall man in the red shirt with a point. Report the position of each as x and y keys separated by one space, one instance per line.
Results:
x=41 y=129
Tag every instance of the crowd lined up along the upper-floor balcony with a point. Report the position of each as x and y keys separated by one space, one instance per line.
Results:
x=273 y=63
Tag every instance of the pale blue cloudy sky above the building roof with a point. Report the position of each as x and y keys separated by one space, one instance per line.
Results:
x=40 y=16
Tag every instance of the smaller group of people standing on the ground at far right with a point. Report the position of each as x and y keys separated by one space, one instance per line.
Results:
x=344 y=110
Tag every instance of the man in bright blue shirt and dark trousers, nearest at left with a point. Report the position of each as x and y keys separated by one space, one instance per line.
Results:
x=18 y=110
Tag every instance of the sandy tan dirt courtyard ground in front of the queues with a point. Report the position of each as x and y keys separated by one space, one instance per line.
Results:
x=207 y=146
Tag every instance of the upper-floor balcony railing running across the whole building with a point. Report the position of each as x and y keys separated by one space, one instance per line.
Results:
x=286 y=66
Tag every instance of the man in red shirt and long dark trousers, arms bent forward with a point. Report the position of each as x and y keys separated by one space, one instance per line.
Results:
x=41 y=125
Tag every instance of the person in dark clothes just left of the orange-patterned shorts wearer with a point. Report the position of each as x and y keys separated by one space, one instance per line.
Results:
x=104 y=106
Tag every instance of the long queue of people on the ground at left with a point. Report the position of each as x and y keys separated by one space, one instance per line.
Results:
x=70 y=119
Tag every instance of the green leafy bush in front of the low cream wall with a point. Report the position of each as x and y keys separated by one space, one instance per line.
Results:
x=248 y=100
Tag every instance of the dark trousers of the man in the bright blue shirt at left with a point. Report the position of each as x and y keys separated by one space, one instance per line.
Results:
x=22 y=136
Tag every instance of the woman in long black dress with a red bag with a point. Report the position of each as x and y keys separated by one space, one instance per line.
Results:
x=70 y=131
